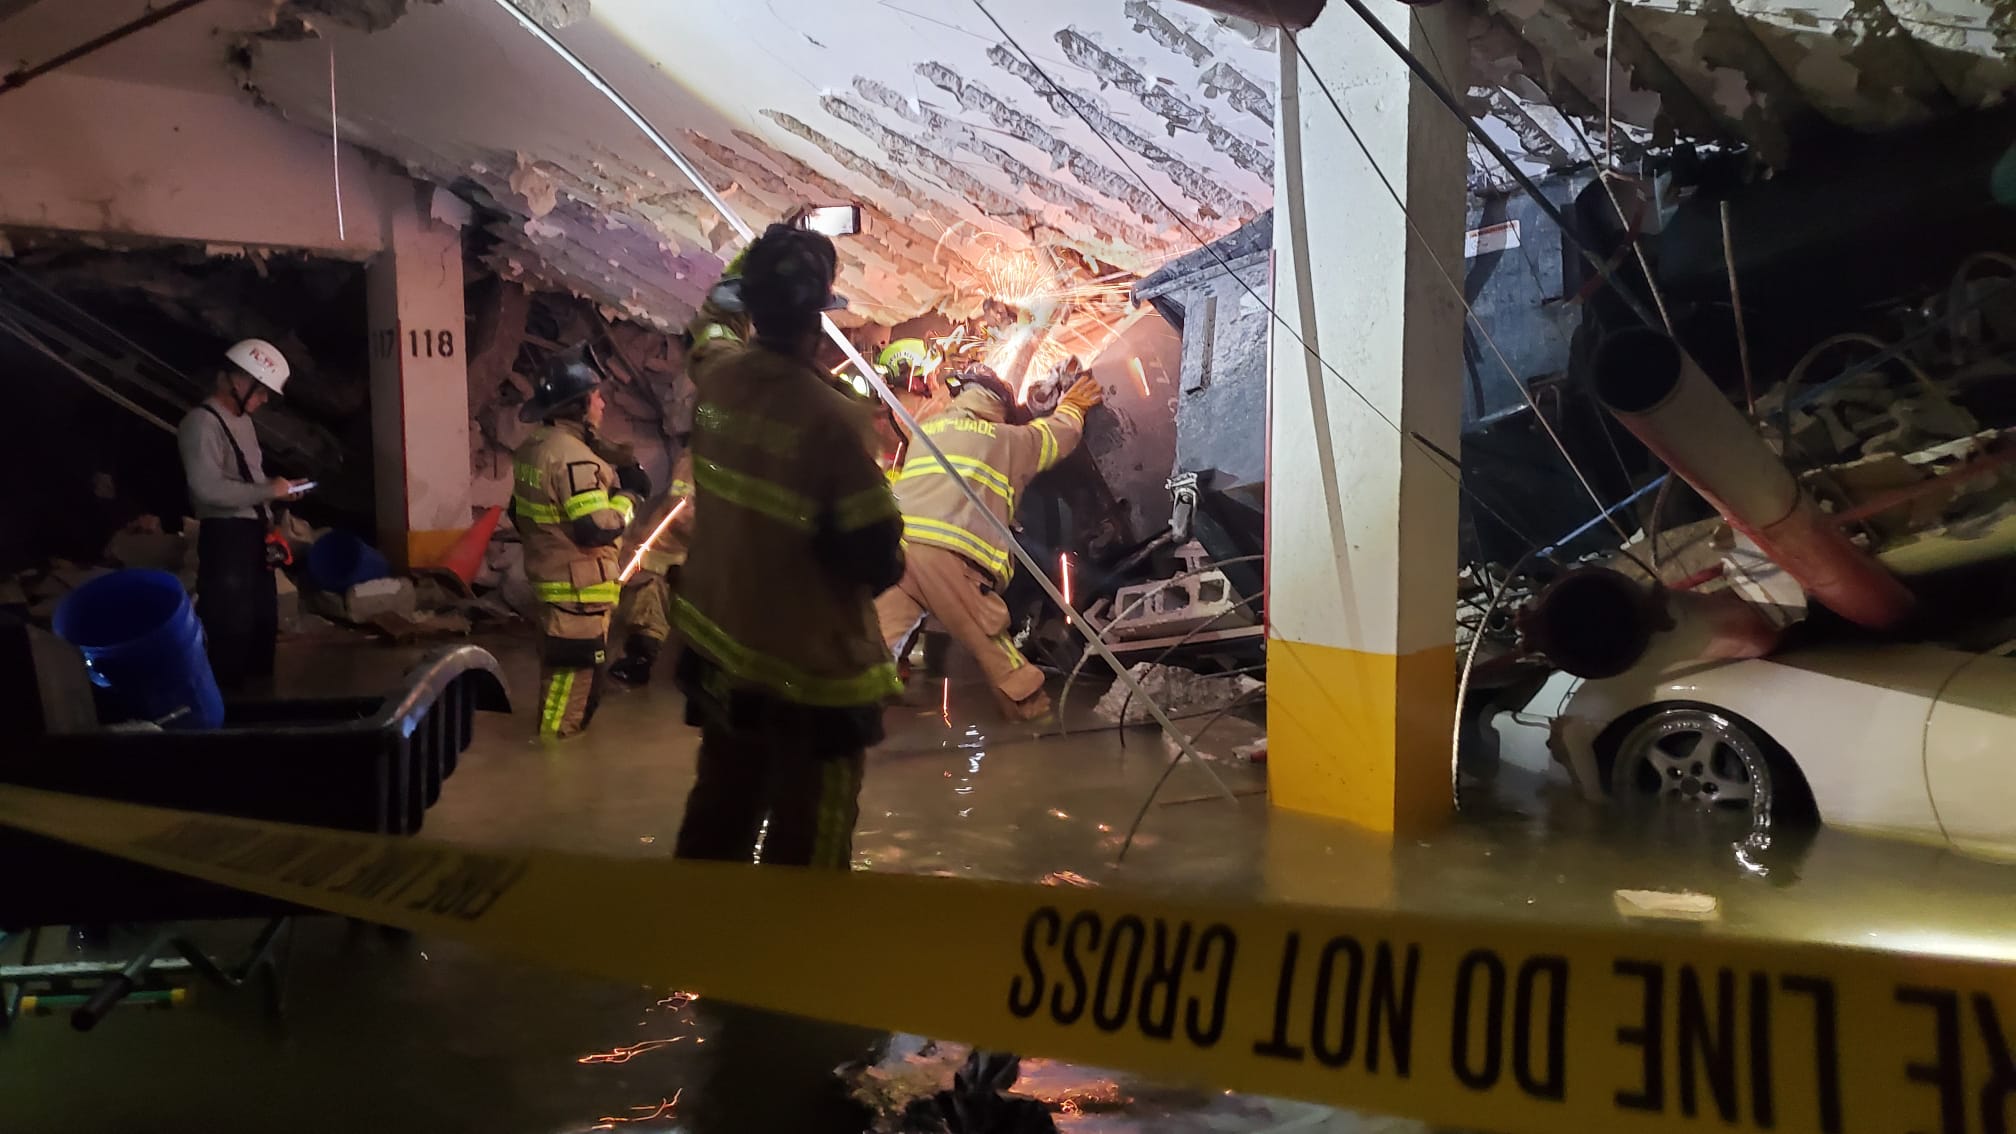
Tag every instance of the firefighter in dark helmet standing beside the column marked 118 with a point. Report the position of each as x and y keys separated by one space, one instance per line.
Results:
x=570 y=512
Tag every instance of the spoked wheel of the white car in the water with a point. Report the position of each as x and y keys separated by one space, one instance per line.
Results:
x=1700 y=762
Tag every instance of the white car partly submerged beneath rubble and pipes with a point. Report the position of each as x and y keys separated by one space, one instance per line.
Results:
x=1904 y=742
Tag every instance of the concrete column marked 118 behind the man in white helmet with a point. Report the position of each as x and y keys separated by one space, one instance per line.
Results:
x=420 y=390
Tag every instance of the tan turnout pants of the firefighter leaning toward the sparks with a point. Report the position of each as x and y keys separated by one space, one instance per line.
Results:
x=963 y=598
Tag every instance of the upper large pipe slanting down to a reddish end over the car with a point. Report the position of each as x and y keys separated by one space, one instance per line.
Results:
x=1656 y=390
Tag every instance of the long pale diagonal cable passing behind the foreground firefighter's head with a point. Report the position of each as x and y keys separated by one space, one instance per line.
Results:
x=882 y=388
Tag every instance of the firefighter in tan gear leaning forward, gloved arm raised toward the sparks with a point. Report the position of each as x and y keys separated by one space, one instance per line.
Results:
x=959 y=564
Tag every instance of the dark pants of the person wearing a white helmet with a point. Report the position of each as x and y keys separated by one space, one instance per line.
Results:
x=237 y=600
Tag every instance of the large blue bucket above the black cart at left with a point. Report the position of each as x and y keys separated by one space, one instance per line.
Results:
x=144 y=649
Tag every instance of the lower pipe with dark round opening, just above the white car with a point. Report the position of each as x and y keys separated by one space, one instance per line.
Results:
x=1598 y=625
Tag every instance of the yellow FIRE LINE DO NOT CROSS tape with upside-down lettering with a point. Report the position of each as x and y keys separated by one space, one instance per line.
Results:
x=1469 y=1024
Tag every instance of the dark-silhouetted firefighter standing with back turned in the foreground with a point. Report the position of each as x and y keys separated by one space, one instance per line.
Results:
x=783 y=667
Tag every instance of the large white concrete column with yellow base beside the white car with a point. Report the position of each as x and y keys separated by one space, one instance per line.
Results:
x=1362 y=522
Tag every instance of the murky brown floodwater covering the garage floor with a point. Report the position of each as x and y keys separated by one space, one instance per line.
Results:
x=404 y=1034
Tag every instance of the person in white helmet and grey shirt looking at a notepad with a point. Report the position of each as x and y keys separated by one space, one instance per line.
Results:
x=231 y=495
